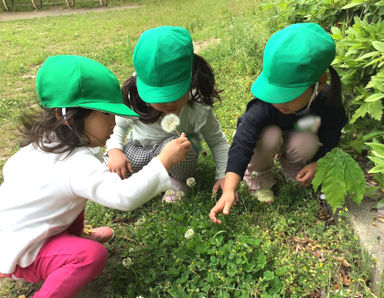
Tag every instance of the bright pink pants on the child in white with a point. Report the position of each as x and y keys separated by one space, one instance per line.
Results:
x=66 y=263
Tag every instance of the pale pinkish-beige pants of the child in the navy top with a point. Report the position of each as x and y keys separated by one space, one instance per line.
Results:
x=295 y=149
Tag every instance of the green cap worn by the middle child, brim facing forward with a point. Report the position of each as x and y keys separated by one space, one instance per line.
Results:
x=163 y=59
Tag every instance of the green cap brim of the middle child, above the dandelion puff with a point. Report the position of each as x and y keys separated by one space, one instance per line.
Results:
x=162 y=94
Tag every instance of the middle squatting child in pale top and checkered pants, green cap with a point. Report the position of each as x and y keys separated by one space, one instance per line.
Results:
x=169 y=79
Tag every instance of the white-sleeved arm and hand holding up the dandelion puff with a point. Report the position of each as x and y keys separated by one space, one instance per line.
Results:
x=90 y=180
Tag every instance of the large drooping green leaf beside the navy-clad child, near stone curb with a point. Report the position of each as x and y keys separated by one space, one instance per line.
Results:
x=339 y=174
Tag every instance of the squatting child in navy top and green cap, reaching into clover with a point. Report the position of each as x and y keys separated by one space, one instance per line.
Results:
x=294 y=113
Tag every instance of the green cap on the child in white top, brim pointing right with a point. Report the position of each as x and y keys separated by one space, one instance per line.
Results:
x=75 y=81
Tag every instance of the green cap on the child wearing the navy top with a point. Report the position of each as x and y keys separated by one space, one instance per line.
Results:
x=294 y=59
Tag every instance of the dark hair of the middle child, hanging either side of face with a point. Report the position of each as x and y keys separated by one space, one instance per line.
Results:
x=202 y=90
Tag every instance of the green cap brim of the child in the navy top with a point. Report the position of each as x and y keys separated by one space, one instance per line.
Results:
x=265 y=91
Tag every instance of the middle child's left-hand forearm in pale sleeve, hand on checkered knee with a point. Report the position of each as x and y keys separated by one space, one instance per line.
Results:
x=117 y=162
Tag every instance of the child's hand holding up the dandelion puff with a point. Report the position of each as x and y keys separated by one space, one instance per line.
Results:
x=175 y=152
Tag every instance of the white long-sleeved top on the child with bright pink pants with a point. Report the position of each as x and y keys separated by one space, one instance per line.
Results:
x=43 y=193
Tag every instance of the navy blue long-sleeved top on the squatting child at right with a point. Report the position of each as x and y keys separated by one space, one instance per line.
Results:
x=260 y=114
